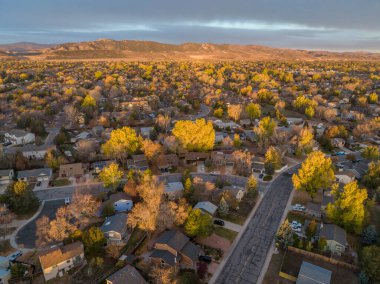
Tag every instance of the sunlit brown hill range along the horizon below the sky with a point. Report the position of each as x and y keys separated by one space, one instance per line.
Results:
x=150 y=50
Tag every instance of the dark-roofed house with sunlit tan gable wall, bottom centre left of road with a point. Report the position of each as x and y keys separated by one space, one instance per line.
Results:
x=173 y=249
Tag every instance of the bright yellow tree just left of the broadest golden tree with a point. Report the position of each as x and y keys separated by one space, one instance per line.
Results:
x=123 y=142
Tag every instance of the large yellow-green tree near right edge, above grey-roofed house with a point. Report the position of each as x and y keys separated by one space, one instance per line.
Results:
x=348 y=209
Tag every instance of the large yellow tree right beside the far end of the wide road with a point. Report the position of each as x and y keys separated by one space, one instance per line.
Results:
x=316 y=173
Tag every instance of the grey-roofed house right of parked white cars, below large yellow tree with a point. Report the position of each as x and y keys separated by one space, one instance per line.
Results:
x=336 y=238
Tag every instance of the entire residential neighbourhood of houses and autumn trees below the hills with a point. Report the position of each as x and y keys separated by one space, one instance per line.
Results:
x=225 y=172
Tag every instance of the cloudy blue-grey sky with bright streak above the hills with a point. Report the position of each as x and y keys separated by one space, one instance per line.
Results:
x=342 y=25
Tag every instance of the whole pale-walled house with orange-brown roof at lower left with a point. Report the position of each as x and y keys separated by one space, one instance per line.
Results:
x=56 y=261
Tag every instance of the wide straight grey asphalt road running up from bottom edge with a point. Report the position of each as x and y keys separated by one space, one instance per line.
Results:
x=246 y=261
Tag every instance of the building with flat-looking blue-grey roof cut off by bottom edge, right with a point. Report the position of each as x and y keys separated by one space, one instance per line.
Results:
x=313 y=274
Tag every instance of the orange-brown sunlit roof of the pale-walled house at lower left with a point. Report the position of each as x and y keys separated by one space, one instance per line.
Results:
x=56 y=255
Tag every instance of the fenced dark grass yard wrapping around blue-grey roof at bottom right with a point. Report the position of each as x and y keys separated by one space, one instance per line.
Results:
x=292 y=264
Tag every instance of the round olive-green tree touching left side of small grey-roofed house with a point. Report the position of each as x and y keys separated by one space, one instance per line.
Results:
x=198 y=224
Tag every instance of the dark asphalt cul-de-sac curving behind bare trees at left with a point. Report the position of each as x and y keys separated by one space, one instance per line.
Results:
x=26 y=236
